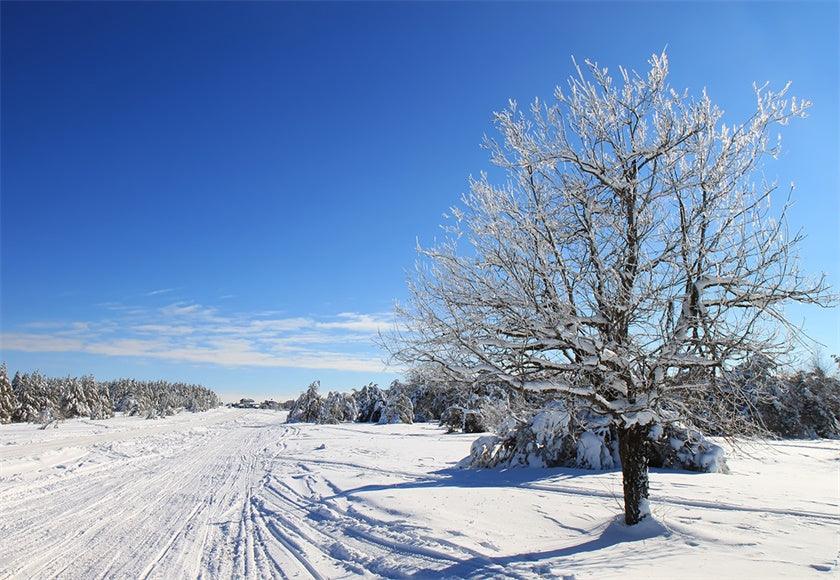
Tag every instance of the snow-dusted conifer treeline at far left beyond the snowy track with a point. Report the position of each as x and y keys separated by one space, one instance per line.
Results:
x=33 y=397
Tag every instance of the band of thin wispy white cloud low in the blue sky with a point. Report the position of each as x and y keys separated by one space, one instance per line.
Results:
x=197 y=334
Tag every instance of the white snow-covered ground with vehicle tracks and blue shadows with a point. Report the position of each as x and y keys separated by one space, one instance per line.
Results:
x=237 y=493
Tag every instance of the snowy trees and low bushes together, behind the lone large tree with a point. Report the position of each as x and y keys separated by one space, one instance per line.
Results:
x=537 y=429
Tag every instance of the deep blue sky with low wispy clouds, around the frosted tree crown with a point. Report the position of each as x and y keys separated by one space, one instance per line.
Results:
x=230 y=193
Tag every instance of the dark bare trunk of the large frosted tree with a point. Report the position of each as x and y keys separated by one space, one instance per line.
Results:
x=632 y=448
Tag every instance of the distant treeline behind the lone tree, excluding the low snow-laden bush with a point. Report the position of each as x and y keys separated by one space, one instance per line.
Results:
x=800 y=404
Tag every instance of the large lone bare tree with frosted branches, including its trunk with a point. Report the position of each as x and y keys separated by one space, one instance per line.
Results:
x=633 y=244
